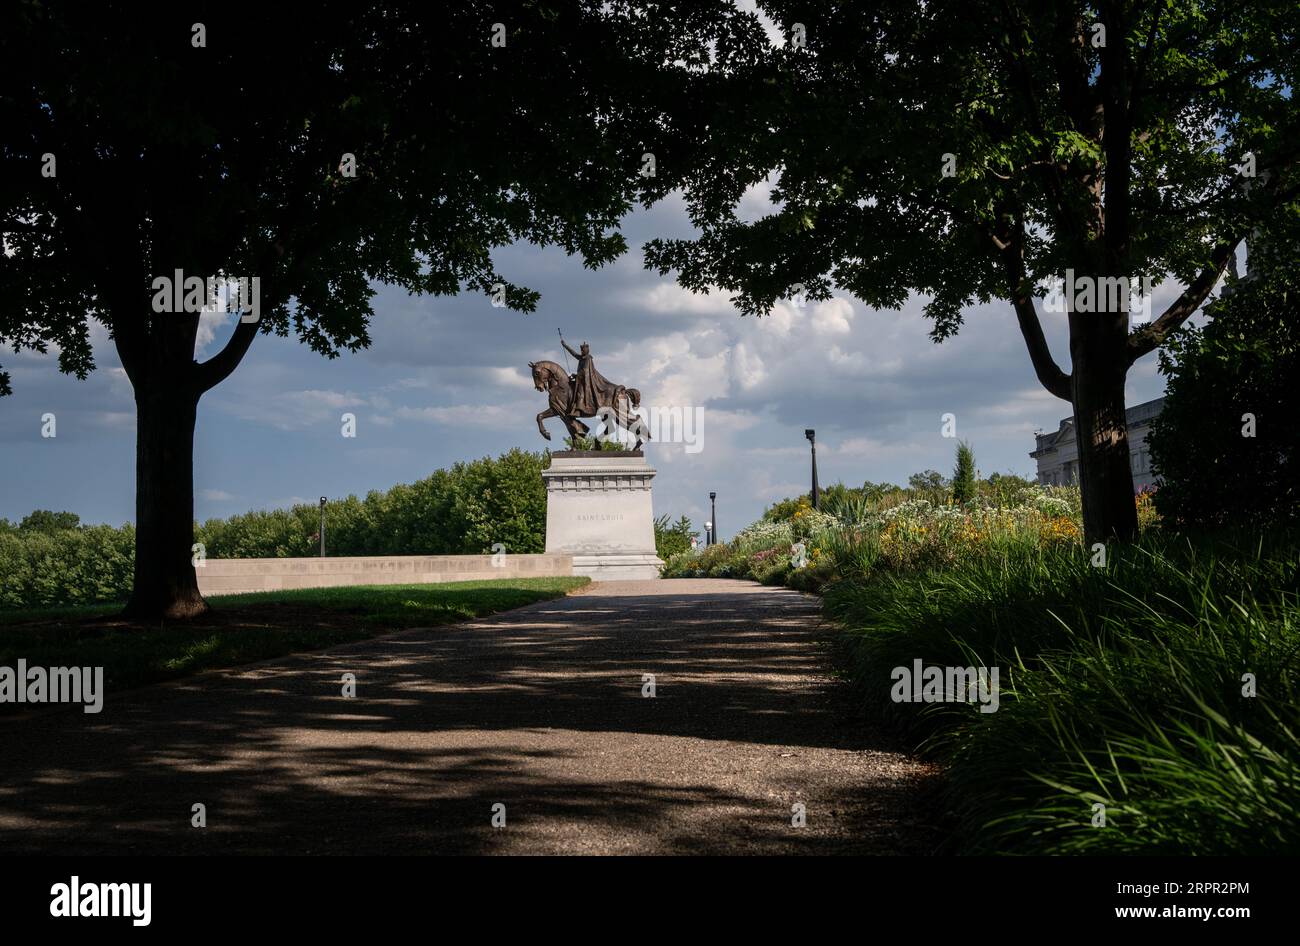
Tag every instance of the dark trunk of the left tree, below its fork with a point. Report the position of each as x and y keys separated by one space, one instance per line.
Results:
x=166 y=582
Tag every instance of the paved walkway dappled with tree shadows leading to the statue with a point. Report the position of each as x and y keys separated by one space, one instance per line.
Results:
x=540 y=710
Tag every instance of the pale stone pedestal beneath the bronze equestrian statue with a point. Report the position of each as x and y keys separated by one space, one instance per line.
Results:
x=599 y=511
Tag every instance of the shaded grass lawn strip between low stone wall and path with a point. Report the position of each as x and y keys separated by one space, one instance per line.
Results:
x=244 y=630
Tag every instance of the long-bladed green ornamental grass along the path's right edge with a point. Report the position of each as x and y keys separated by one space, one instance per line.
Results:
x=1147 y=706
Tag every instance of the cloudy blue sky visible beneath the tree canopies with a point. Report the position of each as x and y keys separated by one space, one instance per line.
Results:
x=447 y=380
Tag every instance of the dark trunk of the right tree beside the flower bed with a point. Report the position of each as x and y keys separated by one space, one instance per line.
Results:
x=1098 y=393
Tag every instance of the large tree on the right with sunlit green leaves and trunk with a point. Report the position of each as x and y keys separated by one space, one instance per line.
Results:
x=973 y=150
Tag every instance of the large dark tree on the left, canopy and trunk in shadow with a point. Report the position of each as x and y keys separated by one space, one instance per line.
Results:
x=222 y=138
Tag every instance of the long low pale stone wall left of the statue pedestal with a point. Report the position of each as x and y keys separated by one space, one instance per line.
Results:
x=239 y=576
